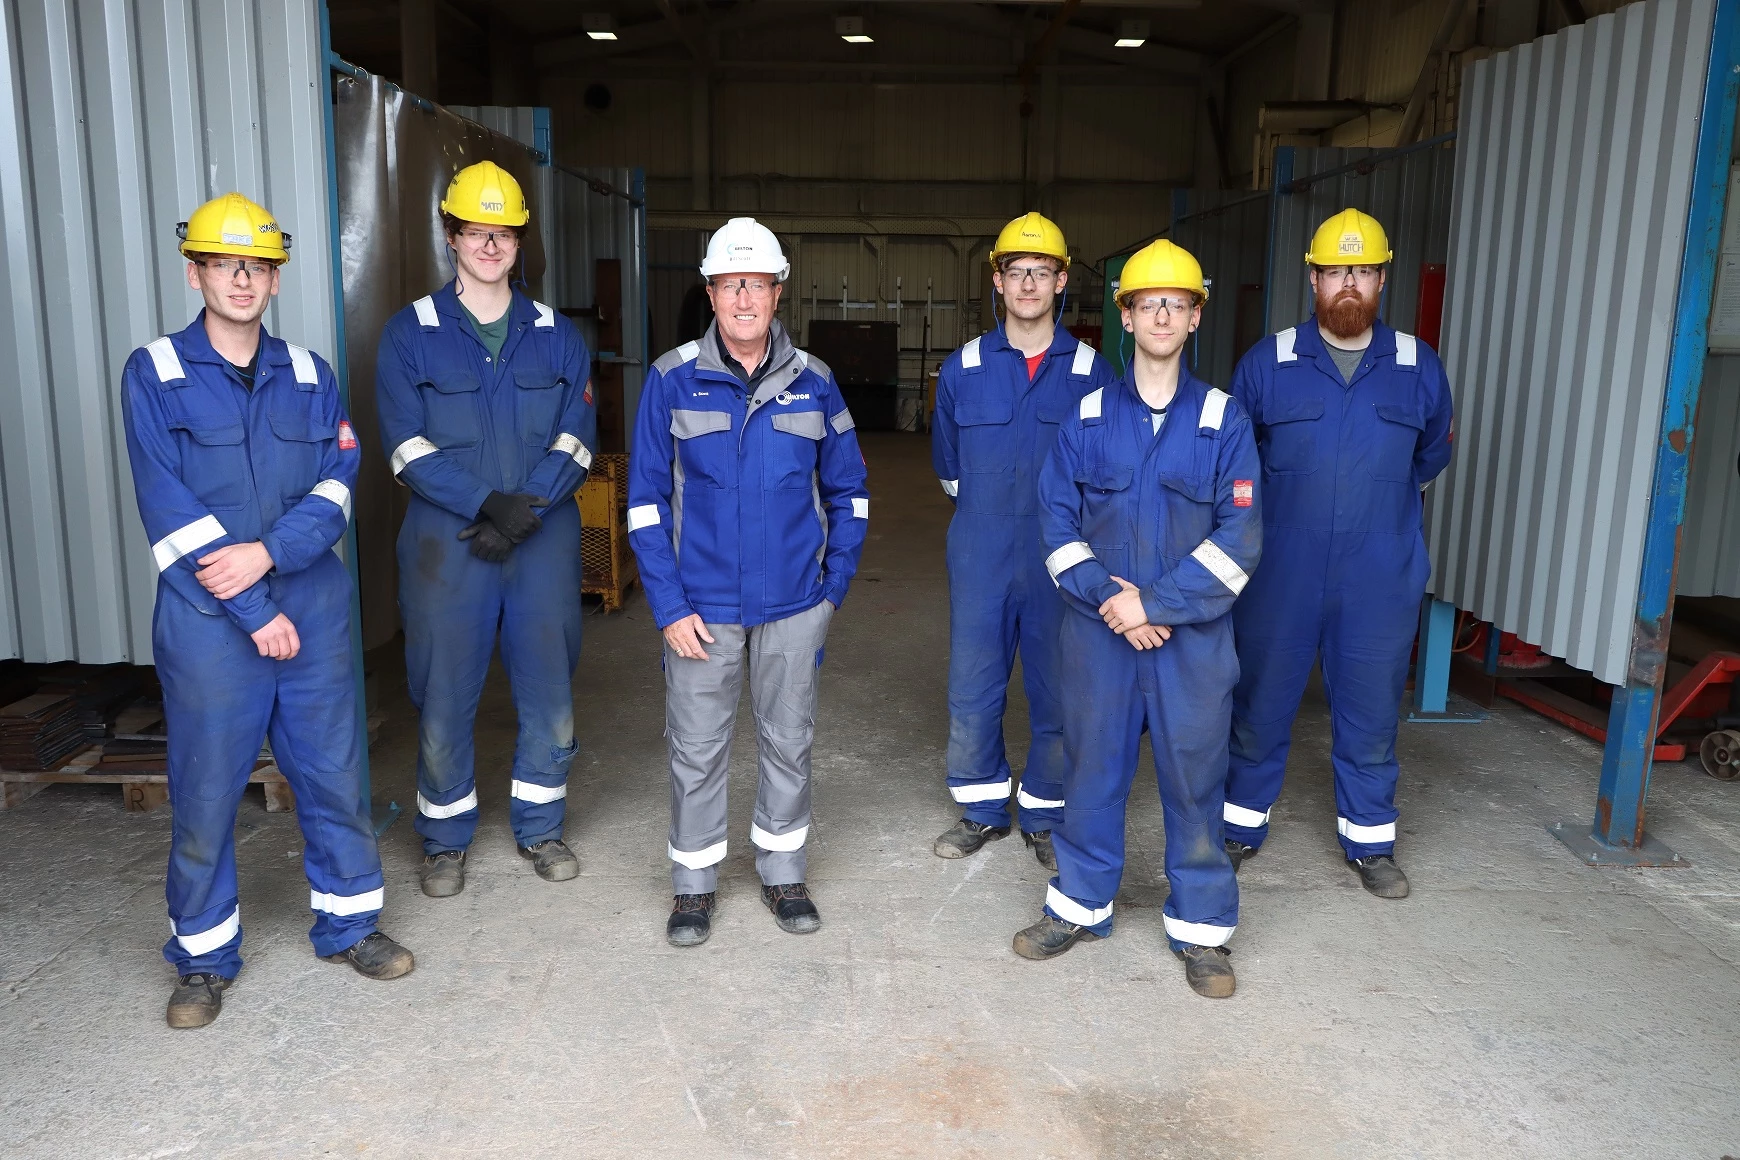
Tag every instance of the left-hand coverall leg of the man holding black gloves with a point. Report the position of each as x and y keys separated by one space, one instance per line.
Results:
x=452 y=608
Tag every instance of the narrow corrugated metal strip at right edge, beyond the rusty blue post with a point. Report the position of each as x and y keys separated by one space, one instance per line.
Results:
x=1710 y=542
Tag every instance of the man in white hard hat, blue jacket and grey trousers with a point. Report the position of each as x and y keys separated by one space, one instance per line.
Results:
x=747 y=510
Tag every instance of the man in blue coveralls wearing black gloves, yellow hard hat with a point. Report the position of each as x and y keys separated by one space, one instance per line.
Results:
x=488 y=417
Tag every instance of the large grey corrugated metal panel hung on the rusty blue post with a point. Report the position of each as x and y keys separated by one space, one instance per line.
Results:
x=1569 y=232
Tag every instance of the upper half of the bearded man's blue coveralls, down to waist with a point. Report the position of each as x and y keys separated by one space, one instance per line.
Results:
x=1346 y=457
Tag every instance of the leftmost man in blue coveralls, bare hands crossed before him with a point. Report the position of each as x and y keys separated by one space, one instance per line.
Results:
x=243 y=465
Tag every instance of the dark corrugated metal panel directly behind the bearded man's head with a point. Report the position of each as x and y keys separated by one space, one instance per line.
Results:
x=1409 y=194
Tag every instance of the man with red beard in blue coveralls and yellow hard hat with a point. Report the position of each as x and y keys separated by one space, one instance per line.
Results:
x=1353 y=422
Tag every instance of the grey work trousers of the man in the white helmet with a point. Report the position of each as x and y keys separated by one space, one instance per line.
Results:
x=700 y=719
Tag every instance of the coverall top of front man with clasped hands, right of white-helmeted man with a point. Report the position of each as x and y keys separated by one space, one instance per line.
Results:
x=1177 y=514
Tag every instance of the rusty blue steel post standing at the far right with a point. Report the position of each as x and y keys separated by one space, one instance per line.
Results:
x=1636 y=705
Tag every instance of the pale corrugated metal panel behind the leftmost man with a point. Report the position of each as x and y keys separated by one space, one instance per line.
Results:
x=119 y=121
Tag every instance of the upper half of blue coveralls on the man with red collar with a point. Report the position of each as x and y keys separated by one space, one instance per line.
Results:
x=994 y=427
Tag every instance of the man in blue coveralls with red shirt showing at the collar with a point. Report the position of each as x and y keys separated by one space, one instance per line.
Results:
x=1000 y=401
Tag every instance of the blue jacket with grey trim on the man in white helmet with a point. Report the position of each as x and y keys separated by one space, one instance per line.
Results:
x=744 y=505
